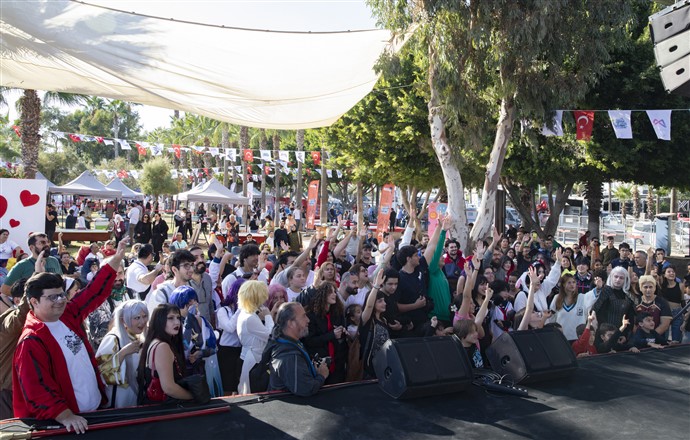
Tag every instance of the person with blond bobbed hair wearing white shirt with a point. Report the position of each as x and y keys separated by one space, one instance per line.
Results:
x=254 y=326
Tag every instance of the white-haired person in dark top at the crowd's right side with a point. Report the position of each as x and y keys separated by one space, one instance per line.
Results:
x=615 y=300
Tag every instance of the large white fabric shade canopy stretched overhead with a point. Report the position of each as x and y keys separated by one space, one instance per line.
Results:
x=282 y=80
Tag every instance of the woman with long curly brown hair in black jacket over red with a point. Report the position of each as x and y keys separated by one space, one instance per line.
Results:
x=327 y=330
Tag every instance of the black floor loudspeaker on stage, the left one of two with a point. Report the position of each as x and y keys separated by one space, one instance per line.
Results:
x=417 y=367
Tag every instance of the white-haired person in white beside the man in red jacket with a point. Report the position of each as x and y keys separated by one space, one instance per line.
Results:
x=118 y=354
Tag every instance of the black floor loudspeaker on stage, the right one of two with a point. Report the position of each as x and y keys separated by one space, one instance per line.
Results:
x=532 y=355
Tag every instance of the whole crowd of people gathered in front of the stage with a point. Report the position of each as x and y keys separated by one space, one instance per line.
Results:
x=112 y=328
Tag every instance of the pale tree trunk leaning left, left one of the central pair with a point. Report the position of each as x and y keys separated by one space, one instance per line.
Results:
x=443 y=150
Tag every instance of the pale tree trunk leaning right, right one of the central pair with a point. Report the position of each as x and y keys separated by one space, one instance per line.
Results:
x=504 y=130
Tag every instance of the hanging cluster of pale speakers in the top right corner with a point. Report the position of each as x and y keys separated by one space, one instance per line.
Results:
x=670 y=31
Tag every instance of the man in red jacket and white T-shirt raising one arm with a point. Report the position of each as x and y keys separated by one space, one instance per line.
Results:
x=55 y=374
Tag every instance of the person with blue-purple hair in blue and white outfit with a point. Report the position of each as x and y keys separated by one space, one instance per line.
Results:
x=199 y=339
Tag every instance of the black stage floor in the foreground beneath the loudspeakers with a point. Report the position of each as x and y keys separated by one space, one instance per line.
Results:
x=618 y=396
